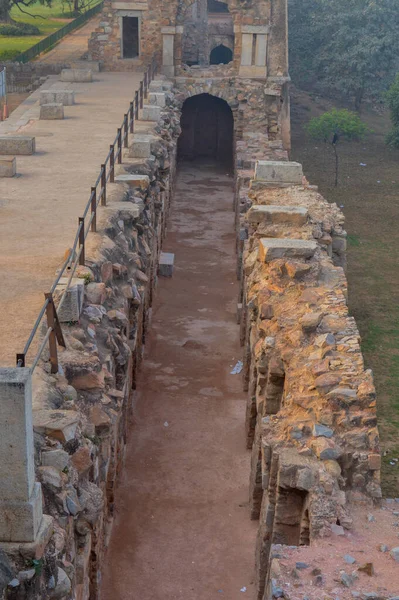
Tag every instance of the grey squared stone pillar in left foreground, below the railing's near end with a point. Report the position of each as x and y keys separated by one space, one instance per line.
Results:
x=20 y=496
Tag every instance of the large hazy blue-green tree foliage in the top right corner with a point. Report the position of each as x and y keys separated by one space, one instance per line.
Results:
x=345 y=46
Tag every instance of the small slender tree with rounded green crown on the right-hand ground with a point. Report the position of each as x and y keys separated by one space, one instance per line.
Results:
x=334 y=126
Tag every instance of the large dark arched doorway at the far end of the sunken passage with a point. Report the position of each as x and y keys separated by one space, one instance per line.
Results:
x=207 y=130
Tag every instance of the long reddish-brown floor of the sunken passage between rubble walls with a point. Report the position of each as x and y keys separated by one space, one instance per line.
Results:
x=182 y=529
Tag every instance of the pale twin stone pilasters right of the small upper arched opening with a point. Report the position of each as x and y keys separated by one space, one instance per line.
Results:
x=254 y=64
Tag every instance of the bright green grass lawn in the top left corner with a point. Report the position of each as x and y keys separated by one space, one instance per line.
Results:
x=47 y=19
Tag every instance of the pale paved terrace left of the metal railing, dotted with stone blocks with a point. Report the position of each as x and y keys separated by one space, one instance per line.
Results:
x=39 y=208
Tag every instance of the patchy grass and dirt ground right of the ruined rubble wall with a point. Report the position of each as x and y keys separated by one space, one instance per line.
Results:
x=369 y=198
